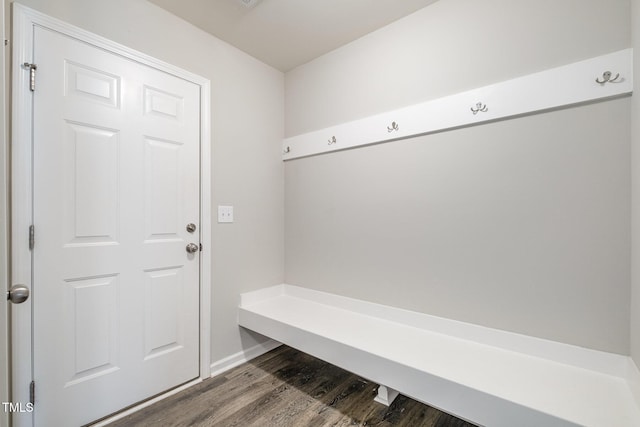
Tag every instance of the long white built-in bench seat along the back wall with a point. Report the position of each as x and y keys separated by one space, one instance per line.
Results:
x=486 y=376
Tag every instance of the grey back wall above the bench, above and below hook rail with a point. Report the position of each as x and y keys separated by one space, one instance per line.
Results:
x=521 y=225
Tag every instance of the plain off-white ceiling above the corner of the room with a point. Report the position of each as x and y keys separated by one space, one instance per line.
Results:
x=288 y=33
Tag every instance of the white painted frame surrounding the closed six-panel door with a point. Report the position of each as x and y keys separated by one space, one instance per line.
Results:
x=24 y=20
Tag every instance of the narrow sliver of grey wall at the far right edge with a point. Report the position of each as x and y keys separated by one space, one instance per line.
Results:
x=635 y=160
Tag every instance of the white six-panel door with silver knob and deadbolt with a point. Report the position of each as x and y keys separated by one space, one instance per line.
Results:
x=115 y=184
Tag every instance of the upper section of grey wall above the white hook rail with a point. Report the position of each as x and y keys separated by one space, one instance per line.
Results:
x=448 y=47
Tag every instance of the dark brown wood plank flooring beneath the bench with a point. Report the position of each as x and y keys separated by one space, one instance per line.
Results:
x=286 y=388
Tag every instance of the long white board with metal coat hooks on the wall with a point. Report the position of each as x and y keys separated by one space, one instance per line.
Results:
x=593 y=79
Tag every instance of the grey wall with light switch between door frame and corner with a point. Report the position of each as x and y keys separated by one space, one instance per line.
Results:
x=247 y=127
